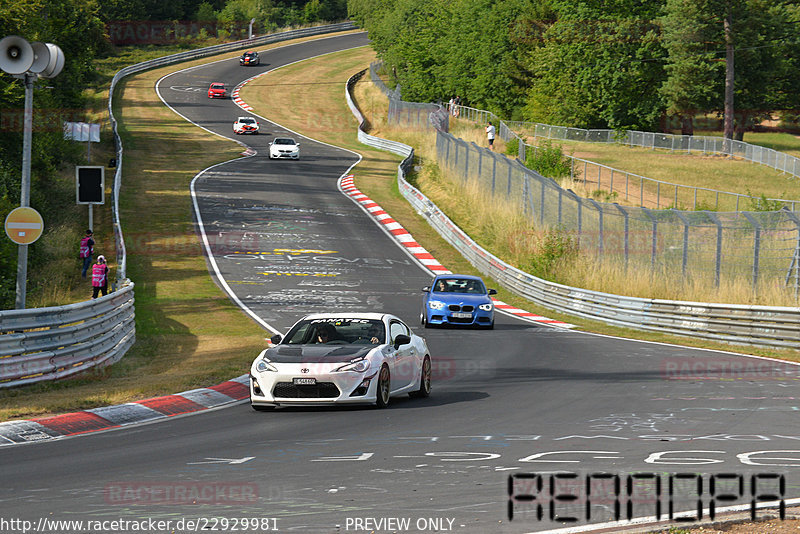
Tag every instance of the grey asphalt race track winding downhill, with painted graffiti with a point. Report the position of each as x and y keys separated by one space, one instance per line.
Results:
x=524 y=400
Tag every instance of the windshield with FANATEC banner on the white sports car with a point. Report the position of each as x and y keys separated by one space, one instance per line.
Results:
x=336 y=331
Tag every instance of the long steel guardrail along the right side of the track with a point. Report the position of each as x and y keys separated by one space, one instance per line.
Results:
x=768 y=326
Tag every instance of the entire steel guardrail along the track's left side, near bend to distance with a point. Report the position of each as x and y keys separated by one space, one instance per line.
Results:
x=40 y=344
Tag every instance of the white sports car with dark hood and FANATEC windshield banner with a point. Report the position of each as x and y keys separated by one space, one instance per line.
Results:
x=341 y=358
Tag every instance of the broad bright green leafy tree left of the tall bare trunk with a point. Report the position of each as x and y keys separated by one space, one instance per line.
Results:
x=593 y=64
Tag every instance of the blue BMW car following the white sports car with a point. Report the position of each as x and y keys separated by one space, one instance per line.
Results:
x=457 y=299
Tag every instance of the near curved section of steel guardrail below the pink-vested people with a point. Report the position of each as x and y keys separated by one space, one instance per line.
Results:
x=49 y=343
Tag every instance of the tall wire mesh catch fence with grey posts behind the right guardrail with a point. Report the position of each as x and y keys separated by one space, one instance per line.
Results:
x=761 y=248
